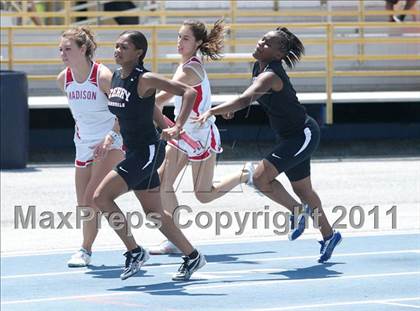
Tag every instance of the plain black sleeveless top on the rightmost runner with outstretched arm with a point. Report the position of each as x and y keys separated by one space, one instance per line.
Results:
x=286 y=114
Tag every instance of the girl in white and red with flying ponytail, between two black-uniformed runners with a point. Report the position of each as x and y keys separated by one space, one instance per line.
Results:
x=193 y=38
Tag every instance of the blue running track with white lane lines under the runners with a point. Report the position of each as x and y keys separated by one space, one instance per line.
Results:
x=380 y=272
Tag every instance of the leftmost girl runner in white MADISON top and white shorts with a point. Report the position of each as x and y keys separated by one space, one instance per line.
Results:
x=86 y=85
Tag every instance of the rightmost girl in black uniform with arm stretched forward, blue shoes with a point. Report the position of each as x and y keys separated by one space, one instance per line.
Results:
x=298 y=134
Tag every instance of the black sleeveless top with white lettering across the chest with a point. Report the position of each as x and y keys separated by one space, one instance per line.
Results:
x=135 y=113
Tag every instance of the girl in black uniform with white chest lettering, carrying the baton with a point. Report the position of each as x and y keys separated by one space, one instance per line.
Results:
x=132 y=100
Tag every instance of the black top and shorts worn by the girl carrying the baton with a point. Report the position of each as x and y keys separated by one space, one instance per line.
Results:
x=144 y=149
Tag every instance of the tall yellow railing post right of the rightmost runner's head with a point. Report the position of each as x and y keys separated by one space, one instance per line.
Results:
x=330 y=72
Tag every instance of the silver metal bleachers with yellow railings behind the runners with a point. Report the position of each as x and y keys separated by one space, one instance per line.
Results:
x=352 y=52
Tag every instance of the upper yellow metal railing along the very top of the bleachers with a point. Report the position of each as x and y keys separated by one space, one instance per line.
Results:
x=67 y=11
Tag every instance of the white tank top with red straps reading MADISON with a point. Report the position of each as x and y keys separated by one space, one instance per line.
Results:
x=88 y=105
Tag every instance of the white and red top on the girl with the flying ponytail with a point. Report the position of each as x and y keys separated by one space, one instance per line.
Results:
x=203 y=100
